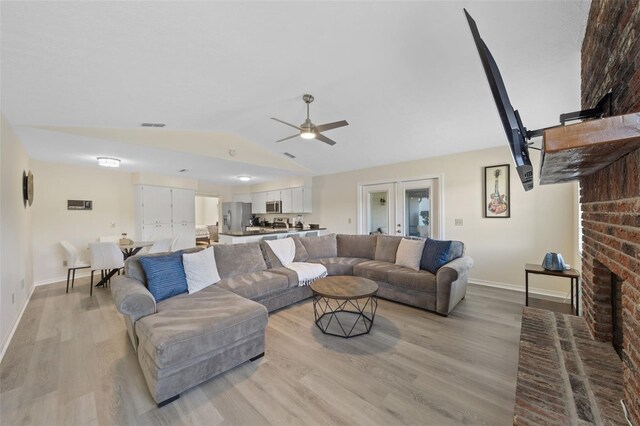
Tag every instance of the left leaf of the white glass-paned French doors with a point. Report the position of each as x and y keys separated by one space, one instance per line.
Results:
x=378 y=208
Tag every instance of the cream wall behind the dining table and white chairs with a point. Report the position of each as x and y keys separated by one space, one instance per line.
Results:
x=112 y=194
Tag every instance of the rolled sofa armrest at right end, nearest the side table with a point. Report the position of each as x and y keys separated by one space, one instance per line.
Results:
x=451 y=282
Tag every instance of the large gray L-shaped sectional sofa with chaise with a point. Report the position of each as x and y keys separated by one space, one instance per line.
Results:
x=187 y=339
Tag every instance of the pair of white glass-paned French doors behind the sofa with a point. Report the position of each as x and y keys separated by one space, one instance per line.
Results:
x=408 y=208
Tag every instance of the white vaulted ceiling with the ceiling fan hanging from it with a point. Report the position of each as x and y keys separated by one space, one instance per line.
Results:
x=78 y=79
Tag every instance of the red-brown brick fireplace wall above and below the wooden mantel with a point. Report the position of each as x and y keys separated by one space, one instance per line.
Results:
x=610 y=198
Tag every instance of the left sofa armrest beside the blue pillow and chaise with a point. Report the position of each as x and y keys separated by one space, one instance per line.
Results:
x=132 y=298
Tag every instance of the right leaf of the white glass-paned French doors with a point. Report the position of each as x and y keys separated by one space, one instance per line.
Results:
x=416 y=209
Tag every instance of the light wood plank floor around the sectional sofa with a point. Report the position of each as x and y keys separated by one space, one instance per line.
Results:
x=71 y=362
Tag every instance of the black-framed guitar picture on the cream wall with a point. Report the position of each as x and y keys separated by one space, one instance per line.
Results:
x=497 y=200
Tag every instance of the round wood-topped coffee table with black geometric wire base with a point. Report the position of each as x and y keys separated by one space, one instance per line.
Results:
x=344 y=306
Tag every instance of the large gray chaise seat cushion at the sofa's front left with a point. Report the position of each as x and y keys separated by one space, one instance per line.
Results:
x=191 y=325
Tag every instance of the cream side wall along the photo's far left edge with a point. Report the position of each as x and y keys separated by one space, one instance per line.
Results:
x=16 y=279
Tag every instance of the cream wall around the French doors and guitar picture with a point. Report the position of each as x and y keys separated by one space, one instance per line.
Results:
x=541 y=220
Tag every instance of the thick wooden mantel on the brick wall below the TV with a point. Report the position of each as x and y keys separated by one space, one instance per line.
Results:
x=570 y=152
